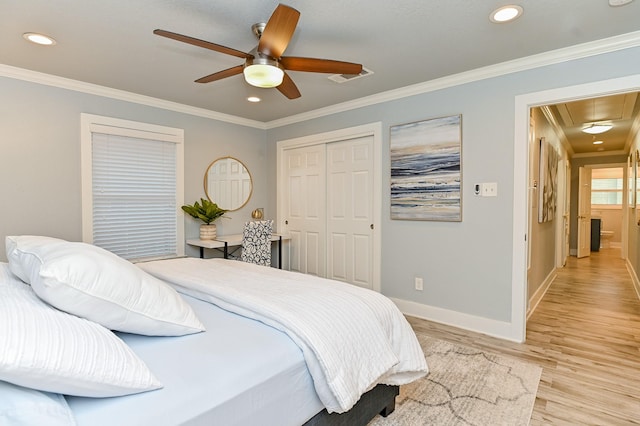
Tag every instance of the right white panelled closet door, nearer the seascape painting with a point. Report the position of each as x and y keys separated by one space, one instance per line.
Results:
x=350 y=211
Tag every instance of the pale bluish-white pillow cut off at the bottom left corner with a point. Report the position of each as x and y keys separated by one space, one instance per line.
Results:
x=27 y=407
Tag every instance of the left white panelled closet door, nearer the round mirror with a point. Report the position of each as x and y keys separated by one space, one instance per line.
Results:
x=305 y=203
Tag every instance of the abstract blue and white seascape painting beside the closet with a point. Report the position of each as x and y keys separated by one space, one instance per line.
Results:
x=426 y=170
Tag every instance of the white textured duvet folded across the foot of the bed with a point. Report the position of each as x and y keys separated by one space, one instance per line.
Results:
x=351 y=338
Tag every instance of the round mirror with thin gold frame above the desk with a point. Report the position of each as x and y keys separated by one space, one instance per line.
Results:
x=227 y=182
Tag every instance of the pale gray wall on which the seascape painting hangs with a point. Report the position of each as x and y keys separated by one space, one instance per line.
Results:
x=466 y=266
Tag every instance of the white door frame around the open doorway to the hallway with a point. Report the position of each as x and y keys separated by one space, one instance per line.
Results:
x=523 y=103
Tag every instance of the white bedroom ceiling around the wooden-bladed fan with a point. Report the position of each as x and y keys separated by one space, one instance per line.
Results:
x=111 y=43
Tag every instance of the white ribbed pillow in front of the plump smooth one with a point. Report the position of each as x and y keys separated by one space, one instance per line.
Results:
x=49 y=350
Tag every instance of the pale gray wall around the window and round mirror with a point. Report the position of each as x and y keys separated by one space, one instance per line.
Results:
x=40 y=158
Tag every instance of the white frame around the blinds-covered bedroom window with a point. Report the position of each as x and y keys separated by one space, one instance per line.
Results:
x=90 y=124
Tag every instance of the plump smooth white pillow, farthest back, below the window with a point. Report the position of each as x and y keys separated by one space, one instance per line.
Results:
x=93 y=283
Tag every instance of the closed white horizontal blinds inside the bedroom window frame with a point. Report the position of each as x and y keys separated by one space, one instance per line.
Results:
x=134 y=196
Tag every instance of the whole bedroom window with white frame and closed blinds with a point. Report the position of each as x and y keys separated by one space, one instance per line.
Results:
x=132 y=180
